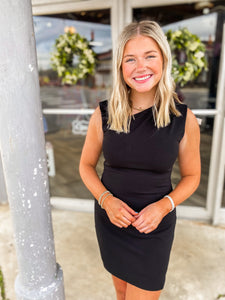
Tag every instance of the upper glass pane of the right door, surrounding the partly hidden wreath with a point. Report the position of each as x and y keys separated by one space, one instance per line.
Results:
x=200 y=93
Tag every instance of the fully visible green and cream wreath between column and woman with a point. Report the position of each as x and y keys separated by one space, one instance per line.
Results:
x=73 y=58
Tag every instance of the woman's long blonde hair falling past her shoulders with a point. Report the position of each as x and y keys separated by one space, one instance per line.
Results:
x=119 y=107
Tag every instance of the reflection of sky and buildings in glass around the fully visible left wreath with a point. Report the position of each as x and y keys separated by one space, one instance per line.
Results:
x=87 y=92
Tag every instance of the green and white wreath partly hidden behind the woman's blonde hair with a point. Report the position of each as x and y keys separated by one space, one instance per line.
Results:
x=188 y=55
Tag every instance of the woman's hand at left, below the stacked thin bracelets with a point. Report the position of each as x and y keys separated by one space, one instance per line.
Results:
x=119 y=213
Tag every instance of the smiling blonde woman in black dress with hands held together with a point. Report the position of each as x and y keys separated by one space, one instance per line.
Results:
x=142 y=129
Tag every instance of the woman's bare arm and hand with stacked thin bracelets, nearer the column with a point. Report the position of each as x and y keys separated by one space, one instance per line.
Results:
x=119 y=213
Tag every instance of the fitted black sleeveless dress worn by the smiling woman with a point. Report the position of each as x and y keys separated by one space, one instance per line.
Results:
x=137 y=170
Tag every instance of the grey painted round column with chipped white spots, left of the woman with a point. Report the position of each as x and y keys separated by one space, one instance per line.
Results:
x=22 y=147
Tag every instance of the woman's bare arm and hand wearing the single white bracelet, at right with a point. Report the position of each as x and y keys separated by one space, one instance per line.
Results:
x=190 y=170
